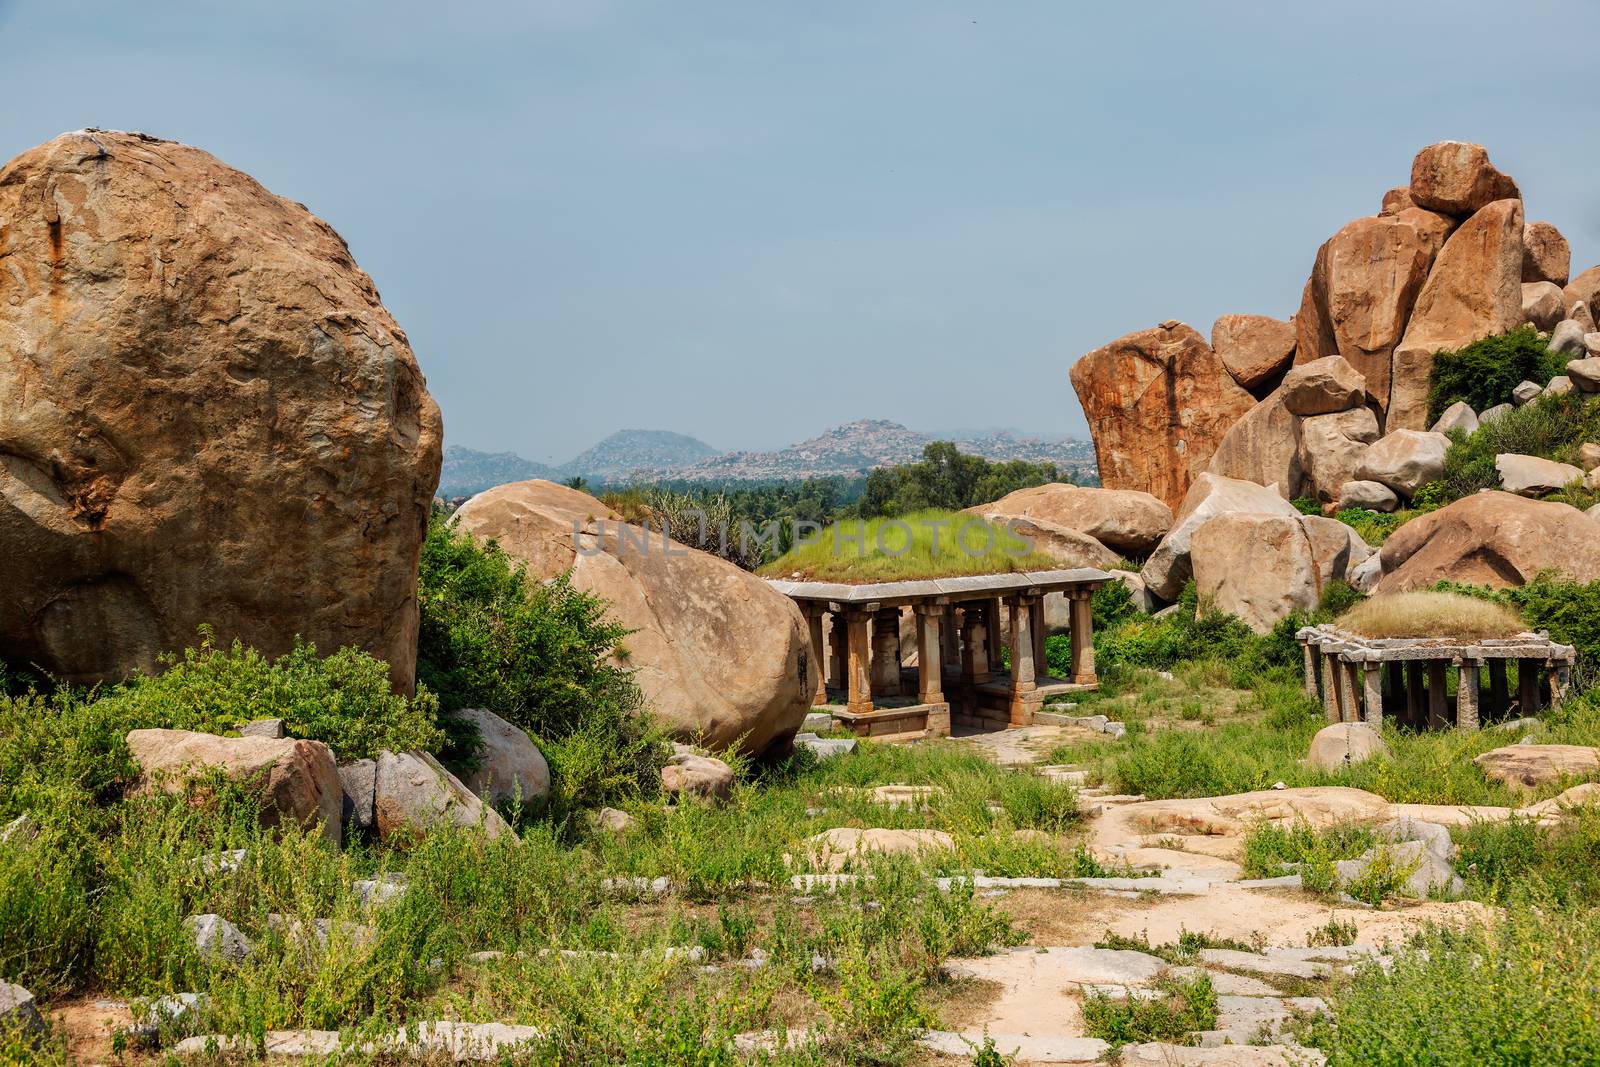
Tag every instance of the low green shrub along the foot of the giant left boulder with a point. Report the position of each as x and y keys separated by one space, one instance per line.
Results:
x=343 y=700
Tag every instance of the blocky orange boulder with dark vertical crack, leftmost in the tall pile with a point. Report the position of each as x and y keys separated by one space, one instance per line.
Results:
x=1158 y=402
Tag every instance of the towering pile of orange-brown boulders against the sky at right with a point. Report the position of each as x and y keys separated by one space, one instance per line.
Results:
x=1447 y=260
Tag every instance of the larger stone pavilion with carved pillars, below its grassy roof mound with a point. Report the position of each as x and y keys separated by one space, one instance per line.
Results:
x=961 y=626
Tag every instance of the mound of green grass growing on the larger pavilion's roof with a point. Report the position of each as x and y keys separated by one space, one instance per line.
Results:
x=924 y=545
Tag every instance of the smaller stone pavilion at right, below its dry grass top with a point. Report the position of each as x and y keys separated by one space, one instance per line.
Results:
x=1364 y=679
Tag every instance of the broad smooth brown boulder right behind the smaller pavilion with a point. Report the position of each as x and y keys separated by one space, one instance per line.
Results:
x=1492 y=540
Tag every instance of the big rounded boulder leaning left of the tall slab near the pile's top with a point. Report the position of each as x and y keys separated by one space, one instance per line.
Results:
x=1362 y=289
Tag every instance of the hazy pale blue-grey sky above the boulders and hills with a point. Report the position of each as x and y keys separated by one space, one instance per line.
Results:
x=753 y=220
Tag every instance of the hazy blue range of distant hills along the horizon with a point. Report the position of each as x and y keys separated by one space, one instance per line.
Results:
x=844 y=452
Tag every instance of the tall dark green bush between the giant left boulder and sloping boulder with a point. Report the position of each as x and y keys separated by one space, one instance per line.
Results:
x=540 y=657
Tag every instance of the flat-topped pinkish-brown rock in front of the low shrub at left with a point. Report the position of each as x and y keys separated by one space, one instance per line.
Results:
x=298 y=781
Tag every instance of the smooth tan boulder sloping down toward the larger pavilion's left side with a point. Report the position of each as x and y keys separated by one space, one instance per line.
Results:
x=718 y=652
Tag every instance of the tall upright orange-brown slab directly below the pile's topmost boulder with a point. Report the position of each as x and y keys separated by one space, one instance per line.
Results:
x=1473 y=292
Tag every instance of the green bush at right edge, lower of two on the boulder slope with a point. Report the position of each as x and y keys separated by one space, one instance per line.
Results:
x=1551 y=428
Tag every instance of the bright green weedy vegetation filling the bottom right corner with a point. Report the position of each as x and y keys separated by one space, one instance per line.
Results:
x=1516 y=991
